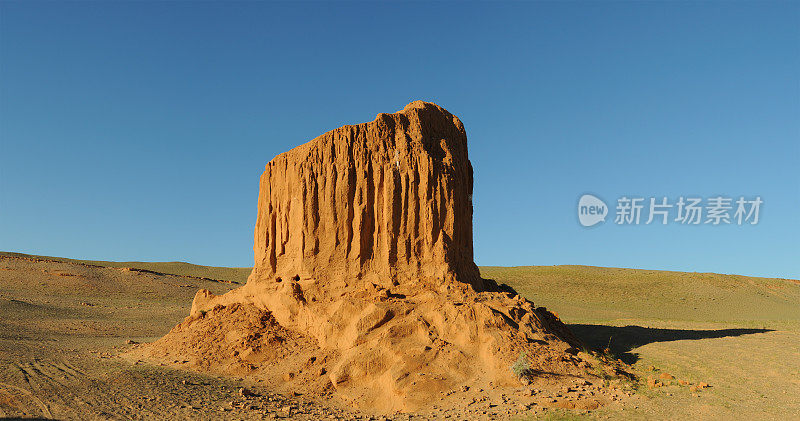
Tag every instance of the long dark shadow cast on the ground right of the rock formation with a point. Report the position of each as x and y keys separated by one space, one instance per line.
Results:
x=621 y=340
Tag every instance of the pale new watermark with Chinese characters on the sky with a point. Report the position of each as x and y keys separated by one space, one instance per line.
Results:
x=685 y=210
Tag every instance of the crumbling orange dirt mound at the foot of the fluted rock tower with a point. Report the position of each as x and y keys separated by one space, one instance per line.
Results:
x=407 y=348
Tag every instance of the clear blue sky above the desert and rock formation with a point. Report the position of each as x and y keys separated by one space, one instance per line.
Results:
x=138 y=130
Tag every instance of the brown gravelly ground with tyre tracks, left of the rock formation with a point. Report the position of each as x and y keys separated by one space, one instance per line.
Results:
x=63 y=326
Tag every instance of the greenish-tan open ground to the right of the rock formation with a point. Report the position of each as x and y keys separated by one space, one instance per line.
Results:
x=738 y=334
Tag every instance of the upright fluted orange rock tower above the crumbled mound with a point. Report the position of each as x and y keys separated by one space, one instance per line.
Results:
x=386 y=201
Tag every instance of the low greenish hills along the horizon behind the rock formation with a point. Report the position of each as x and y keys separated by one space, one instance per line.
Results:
x=589 y=293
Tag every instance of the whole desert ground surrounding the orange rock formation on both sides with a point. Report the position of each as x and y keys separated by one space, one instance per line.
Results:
x=66 y=326
